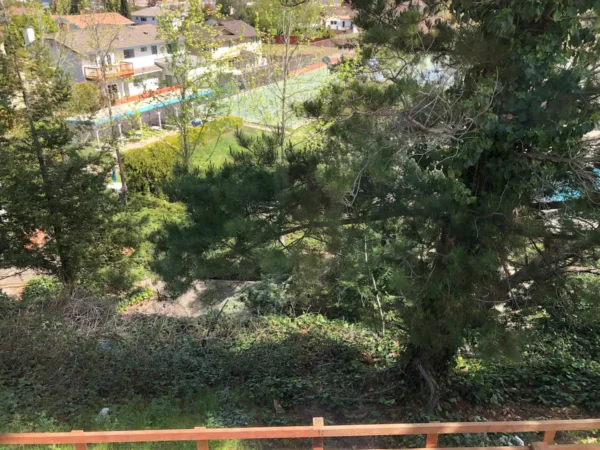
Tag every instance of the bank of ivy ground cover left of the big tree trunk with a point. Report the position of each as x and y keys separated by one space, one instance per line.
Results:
x=244 y=363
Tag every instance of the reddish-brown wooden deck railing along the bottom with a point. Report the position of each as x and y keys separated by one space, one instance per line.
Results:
x=318 y=431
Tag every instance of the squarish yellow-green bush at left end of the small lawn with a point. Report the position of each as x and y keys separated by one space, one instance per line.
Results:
x=148 y=168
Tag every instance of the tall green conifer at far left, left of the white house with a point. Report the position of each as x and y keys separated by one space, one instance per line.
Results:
x=57 y=215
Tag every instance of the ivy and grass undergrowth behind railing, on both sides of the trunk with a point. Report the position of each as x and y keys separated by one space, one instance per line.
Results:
x=60 y=366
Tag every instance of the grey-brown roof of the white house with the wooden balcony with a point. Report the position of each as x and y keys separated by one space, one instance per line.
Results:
x=89 y=40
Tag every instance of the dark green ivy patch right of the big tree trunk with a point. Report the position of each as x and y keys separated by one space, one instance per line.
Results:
x=558 y=367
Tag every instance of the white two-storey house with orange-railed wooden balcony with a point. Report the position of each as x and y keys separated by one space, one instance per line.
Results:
x=134 y=57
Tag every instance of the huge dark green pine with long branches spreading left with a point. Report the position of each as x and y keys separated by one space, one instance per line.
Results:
x=459 y=168
